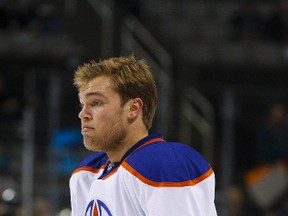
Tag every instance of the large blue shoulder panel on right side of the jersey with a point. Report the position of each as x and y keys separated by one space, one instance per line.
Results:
x=168 y=162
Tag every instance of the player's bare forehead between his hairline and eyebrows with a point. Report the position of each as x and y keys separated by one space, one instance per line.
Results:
x=102 y=85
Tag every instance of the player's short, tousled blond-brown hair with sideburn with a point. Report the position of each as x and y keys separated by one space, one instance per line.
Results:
x=131 y=78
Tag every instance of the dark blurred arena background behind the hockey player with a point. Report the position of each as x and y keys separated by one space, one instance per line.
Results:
x=221 y=70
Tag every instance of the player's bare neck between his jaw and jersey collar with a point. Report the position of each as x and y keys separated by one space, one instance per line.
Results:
x=125 y=145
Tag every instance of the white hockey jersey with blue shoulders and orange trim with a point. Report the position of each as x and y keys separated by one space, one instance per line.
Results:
x=154 y=178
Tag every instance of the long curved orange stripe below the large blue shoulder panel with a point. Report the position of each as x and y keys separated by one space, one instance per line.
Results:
x=166 y=184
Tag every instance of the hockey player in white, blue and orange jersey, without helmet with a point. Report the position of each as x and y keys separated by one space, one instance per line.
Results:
x=132 y=172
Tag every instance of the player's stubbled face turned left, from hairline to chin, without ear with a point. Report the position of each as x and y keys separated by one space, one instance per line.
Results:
x=103 y=119
